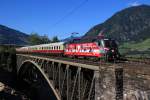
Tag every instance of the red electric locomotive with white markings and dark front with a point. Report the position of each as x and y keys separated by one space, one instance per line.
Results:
x=106 y=48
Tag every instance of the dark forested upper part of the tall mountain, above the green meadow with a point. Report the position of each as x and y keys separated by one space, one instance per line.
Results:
x=129 y=25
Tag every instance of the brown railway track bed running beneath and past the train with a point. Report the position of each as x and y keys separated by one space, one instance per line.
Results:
x=125 y=62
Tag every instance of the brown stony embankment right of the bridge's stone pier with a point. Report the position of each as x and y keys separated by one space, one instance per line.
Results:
x=137 y=82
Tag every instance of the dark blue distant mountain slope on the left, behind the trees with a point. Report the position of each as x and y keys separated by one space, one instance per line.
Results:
x=11 y=36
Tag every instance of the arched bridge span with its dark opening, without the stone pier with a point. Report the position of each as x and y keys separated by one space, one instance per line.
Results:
x=56 y=79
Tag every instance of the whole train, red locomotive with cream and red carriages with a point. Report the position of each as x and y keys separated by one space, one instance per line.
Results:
x=101 y=48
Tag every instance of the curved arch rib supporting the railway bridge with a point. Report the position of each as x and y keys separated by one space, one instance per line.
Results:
x=27 y=65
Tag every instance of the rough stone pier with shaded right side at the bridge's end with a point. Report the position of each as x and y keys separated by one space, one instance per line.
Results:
x=109 y=83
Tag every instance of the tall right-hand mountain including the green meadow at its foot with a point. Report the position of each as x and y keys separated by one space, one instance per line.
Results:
x=130 y=27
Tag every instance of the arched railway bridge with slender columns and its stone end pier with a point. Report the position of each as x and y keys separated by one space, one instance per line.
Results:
x=70 y=80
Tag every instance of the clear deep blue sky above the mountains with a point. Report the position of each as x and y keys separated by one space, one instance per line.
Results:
x=60 y=17
